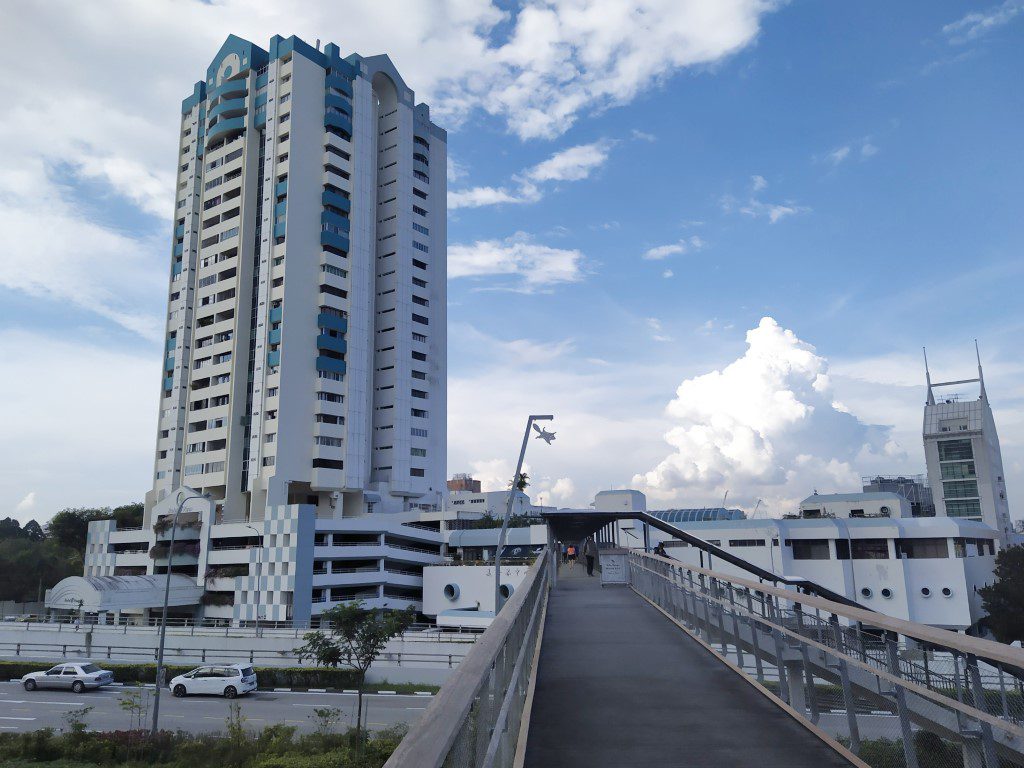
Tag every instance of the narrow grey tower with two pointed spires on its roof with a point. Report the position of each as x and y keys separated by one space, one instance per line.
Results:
x=962 y=449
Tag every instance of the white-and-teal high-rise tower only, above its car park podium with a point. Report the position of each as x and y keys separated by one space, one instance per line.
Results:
x=306 y=356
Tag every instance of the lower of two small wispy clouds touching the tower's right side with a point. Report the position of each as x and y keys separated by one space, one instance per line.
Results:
x=532 y=267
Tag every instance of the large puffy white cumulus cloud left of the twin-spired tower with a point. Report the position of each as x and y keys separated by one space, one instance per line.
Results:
x=764 y=426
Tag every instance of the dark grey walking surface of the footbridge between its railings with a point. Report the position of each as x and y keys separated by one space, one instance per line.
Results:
x=620 y=686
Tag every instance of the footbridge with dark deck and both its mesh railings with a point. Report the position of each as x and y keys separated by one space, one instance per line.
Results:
x=684 y=666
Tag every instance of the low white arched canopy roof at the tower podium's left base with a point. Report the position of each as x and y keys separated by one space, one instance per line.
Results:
x=99 y=594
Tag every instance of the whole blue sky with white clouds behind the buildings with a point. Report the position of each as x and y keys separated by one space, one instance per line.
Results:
x=670 y=179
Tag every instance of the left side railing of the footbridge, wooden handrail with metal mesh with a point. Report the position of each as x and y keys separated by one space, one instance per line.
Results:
x=475 y=721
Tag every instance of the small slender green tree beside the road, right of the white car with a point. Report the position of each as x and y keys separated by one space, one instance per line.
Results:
x=356 y=638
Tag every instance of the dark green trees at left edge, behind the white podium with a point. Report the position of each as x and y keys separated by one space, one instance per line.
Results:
x=33 y=559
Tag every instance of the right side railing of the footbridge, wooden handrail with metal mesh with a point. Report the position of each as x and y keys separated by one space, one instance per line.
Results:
x=899 y=695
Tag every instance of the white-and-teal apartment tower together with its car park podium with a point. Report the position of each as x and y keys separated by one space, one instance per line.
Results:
x=305 y=372
